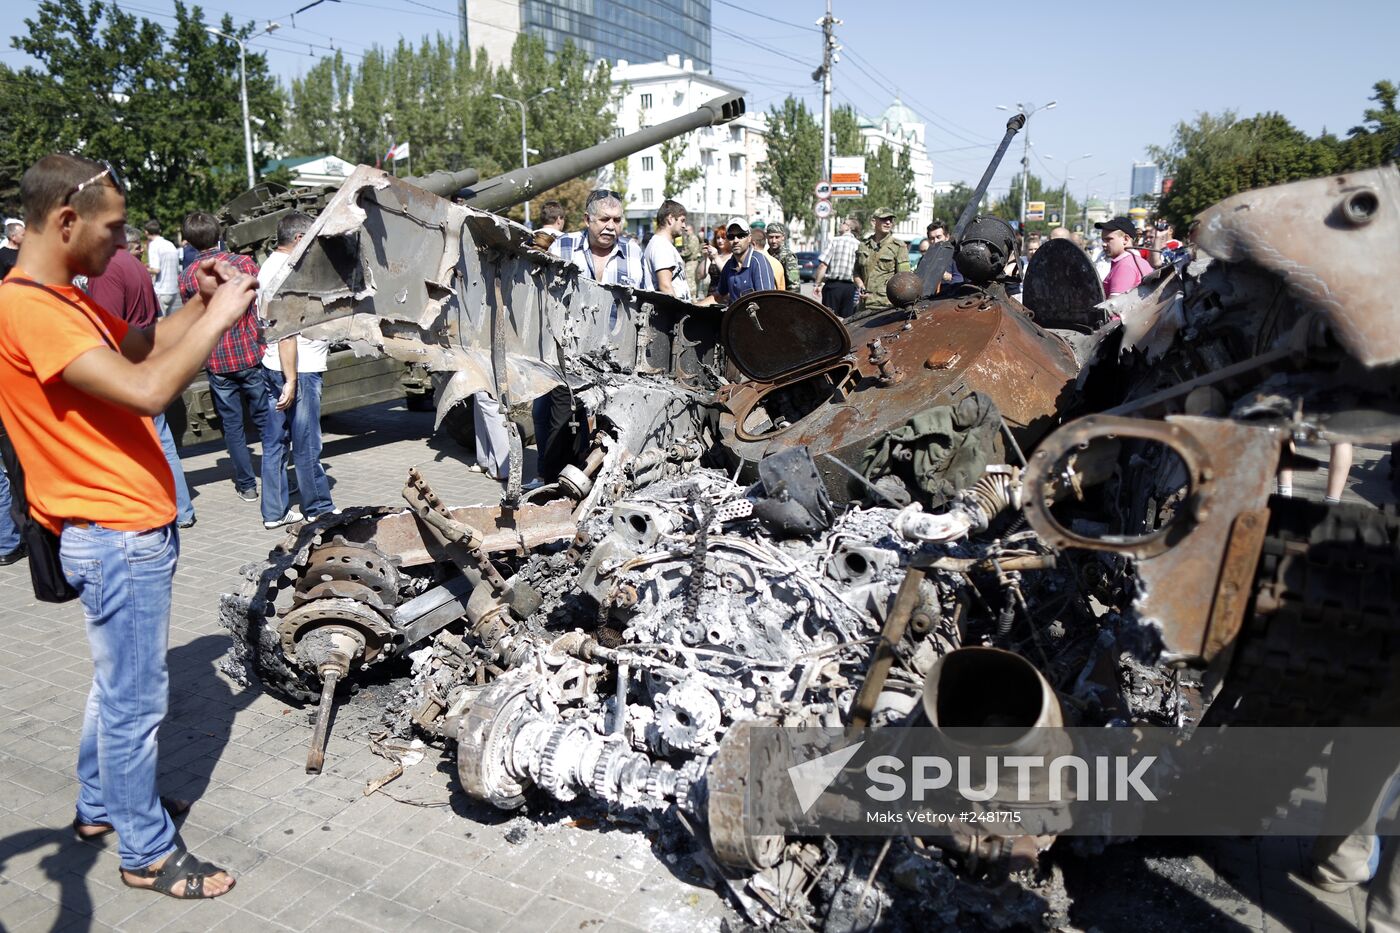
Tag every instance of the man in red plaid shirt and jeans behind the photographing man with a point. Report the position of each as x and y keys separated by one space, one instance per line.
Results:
x=236 y=365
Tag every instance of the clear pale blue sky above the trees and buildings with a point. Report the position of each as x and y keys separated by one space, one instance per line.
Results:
x=1122 y=74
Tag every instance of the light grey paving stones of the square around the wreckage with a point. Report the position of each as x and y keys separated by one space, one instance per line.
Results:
x=316 y=854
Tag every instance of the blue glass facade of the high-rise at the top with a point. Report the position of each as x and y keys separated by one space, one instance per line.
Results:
x=632 y=30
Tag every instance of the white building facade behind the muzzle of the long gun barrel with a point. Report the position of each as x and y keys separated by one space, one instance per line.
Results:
x=727 y=156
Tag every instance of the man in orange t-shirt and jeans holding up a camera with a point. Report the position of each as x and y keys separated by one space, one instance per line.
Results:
x=78 y=393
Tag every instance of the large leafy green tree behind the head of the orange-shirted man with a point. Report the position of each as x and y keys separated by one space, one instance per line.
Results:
x=162 y=107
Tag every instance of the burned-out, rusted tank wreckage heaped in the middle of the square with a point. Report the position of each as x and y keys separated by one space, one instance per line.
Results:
x=734 y=548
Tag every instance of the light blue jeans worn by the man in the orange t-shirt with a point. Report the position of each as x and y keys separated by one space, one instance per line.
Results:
x=124 y=581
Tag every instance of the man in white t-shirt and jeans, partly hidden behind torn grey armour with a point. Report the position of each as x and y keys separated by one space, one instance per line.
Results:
x=292 y=373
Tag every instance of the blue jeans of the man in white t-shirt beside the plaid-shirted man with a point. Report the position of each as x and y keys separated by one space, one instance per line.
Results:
x=313 y=485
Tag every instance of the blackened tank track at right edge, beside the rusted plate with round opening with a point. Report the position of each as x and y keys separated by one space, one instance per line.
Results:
x=1318 y=649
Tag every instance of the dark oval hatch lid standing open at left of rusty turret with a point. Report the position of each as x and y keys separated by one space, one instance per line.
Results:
x=776 y=336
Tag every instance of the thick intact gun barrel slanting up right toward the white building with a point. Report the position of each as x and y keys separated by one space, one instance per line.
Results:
x=523 y=184
